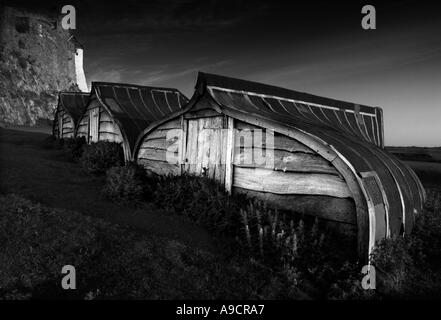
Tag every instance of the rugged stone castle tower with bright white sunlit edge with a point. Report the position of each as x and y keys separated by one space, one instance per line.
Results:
x=38 y=58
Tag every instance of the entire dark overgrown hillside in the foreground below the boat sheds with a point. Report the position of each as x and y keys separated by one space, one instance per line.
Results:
x=53 y=213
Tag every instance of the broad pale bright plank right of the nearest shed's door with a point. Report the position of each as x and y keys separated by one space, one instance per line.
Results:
x=290 y=183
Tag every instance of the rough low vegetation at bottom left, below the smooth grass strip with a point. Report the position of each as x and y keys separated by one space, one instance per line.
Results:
x=111 y=261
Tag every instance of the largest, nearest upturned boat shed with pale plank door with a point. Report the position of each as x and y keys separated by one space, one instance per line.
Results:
x=298 y=151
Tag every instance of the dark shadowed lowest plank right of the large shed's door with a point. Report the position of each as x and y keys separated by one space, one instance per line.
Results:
x=324 y=207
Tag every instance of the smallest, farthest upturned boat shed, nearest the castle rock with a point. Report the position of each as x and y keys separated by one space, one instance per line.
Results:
x=70 y=108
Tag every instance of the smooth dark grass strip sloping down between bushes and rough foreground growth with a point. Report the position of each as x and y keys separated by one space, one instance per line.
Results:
x=49 y=177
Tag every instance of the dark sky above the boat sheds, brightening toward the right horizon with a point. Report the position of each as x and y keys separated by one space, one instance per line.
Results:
x=313 y=46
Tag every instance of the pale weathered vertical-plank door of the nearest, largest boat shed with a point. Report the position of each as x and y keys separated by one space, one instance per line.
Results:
x=206 y=147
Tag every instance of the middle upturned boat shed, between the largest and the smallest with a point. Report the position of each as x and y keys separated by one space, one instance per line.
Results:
x=120 y=112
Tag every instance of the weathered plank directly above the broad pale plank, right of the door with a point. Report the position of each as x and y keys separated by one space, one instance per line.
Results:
x=282 y=161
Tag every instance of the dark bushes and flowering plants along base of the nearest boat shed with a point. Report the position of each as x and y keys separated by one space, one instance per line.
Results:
x=309 y=257
